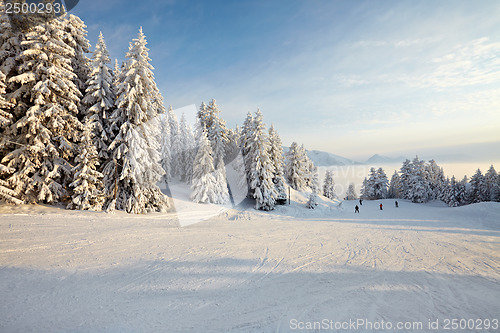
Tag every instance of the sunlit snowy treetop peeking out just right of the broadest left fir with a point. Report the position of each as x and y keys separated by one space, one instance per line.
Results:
x=76 y=37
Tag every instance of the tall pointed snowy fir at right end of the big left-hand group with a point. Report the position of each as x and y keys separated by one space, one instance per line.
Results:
x=134 y=168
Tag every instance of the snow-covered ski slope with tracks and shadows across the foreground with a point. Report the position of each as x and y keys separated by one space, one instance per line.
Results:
x=248 y=271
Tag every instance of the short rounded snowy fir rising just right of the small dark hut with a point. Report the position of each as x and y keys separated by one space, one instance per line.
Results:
x=297 y=167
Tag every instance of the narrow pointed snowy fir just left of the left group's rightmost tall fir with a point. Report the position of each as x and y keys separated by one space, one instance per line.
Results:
x=99 y=97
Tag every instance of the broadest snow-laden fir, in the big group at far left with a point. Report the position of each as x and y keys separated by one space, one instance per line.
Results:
x=47 y=129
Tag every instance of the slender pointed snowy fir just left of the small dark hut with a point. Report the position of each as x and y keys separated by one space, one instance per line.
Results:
x=261 y=167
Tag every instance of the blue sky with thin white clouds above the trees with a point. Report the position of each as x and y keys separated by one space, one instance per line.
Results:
x=353 y=78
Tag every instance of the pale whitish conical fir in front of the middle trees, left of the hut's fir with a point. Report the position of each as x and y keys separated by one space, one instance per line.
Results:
x=203 y=188
